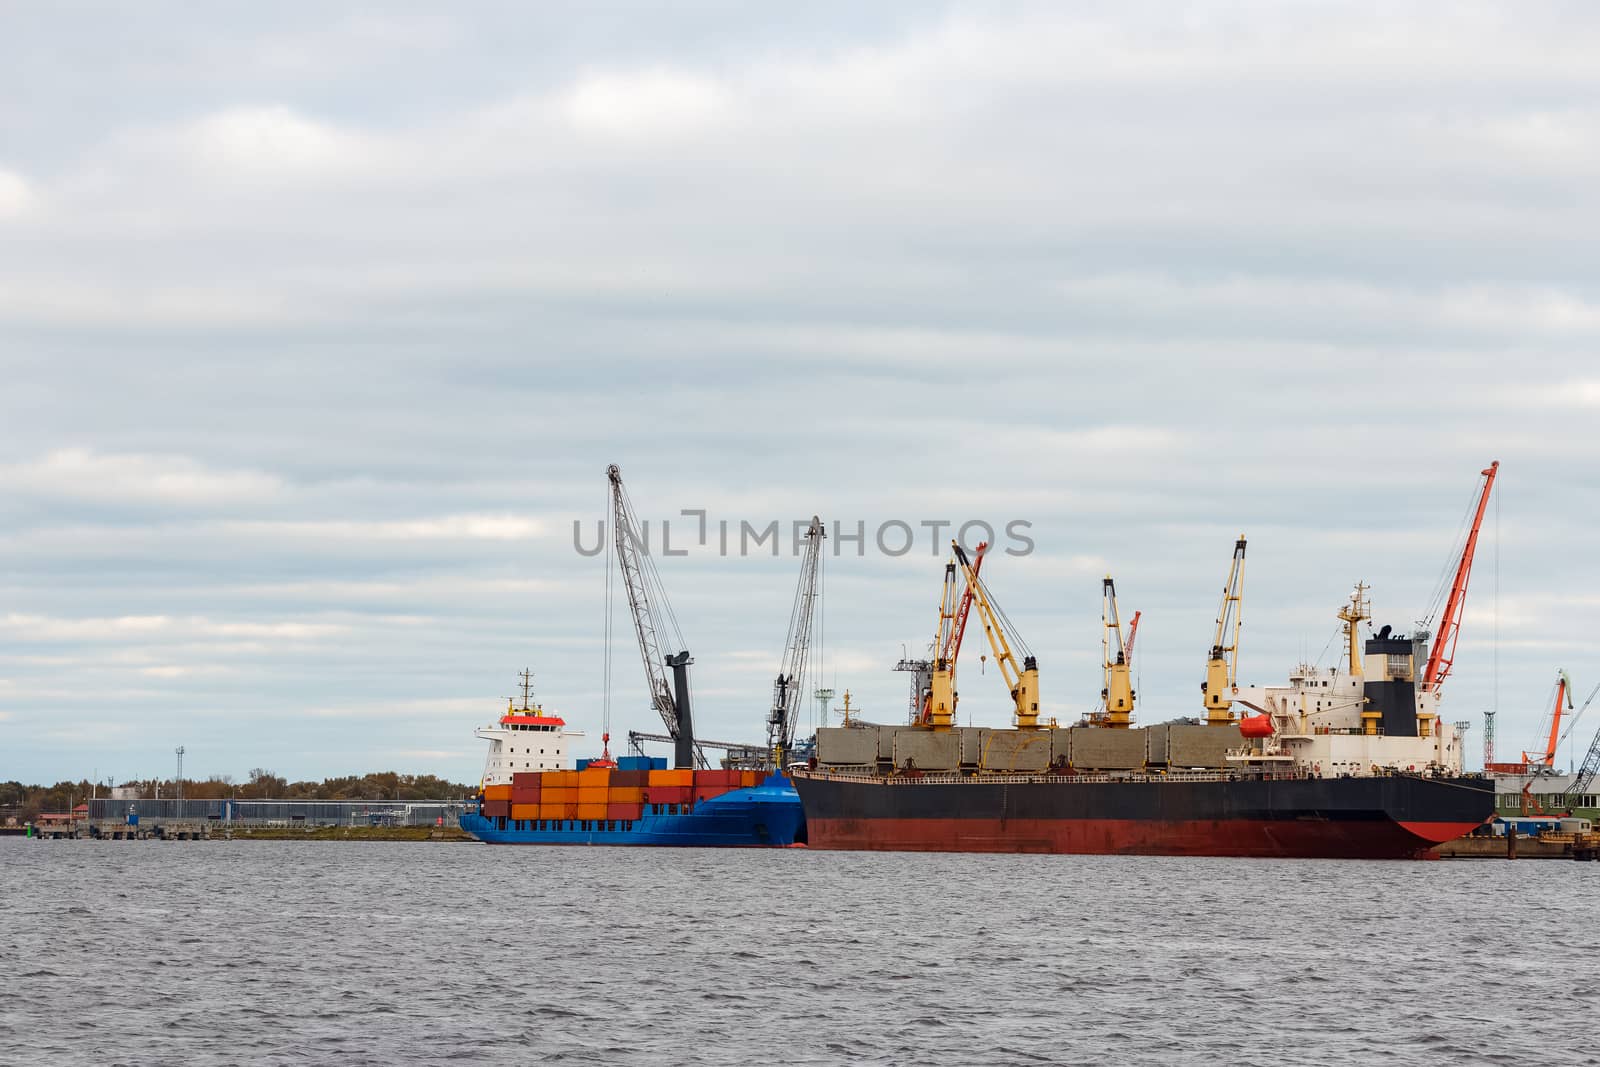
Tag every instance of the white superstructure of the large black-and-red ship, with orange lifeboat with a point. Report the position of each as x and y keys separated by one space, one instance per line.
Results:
x=1367 y=717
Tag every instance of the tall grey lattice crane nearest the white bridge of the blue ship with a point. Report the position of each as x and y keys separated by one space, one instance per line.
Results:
x=644 y=593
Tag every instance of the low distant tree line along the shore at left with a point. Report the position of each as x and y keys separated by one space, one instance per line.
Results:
x=28 y=802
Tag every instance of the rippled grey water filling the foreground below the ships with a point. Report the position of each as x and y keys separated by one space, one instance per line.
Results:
x=268 y=953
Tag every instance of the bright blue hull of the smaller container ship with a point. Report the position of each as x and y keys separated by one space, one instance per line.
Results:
x=762 y=817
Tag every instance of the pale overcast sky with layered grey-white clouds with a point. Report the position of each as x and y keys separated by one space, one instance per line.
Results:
x=322 y=322
